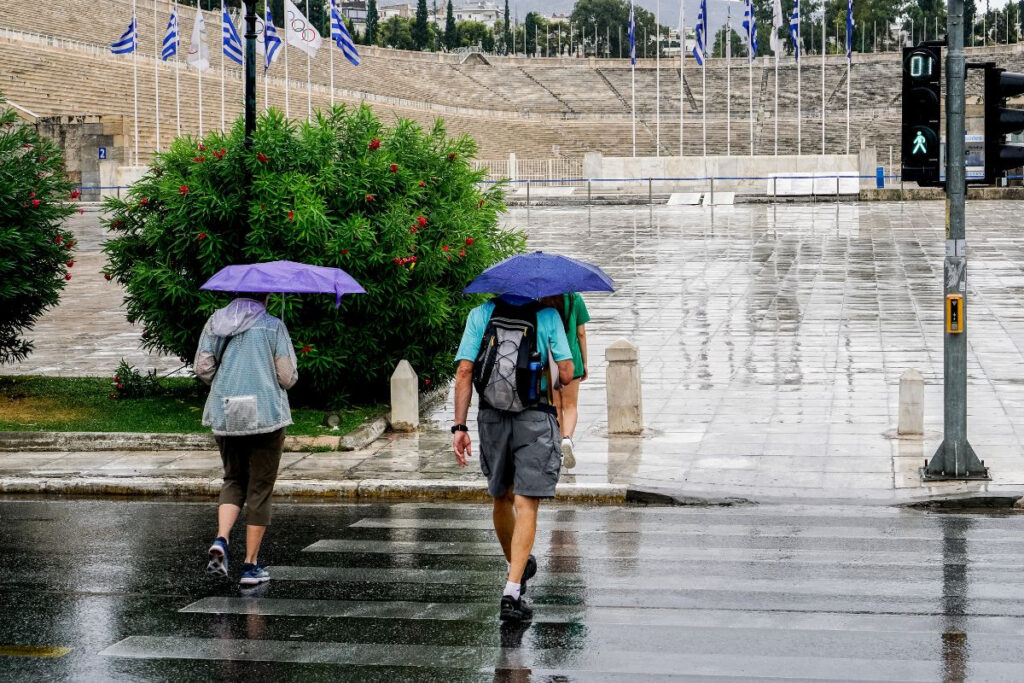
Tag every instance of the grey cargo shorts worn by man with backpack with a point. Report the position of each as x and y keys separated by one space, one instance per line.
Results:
x=521 y=450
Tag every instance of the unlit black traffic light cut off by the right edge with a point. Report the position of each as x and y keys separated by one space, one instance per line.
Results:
x=1000 y=157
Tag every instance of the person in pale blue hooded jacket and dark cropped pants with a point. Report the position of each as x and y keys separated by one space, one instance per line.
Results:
x=247 y=358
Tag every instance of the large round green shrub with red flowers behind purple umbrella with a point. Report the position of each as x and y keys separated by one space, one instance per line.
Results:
x=398 y=208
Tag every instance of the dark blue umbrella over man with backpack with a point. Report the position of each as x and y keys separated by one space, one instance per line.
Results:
x=539 y=275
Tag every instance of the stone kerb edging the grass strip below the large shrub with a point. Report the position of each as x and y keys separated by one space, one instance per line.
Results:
x=360 y=438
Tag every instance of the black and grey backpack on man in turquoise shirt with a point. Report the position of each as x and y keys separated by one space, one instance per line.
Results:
x=502 y=374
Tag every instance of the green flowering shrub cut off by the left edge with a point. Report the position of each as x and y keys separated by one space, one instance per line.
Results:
x=36 y=253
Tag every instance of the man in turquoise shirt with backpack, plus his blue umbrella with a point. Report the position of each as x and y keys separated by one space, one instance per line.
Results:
x=514 y=352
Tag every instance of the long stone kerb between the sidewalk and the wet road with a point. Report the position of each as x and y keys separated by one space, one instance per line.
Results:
x=409 y=490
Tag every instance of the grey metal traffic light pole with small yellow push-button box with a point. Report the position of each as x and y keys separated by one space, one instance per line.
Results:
x=955 y=458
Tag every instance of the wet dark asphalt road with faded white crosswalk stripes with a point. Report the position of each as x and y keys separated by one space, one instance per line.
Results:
x=410 y=592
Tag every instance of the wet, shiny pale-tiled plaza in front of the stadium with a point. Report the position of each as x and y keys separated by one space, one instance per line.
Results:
x=772 y=340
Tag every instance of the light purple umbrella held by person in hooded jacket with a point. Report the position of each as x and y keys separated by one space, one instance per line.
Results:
x=286 y=278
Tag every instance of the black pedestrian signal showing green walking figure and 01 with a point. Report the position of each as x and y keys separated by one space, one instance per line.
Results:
x=922 y=92
